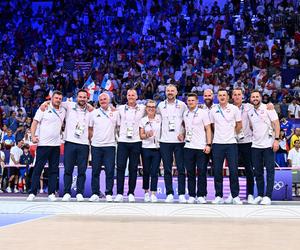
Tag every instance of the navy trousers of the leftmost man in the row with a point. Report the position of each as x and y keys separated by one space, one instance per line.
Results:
x=44 y=154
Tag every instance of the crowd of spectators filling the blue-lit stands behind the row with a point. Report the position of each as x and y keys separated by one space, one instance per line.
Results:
x=144 y=45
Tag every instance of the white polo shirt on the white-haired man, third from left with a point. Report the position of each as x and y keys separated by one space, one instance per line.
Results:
x=104 y=123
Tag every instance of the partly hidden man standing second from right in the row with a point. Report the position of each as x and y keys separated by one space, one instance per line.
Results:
x=244 y=140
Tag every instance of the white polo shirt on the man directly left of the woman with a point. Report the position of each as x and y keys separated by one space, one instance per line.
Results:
x=129 y=121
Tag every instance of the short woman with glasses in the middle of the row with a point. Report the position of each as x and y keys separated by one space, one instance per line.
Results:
x=150 y=128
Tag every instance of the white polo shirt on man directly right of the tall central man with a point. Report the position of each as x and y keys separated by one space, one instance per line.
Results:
x=195 y=123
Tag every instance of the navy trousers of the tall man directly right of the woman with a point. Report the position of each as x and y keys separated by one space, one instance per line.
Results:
x=167 y=150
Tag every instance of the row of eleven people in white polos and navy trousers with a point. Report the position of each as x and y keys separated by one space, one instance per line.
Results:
x=191 y=133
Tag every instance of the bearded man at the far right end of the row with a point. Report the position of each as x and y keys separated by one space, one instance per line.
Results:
x=265 y=125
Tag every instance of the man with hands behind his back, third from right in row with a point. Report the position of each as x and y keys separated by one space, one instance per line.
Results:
x=226 y=121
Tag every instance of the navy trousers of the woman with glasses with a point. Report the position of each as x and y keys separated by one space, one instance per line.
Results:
x=151 y=162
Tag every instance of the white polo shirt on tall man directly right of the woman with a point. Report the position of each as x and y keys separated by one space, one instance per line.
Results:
x=171 y=113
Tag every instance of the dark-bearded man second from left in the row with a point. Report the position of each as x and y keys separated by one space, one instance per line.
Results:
x=76 y=150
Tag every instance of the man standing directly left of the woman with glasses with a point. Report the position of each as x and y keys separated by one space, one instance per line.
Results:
x=129 y=144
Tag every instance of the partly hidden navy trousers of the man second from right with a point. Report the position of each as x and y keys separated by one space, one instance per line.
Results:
x=244 y=153
